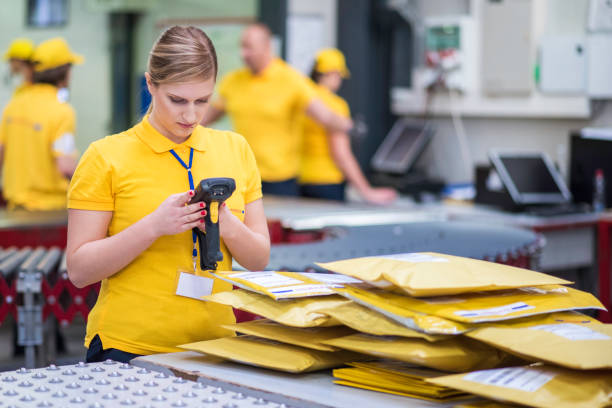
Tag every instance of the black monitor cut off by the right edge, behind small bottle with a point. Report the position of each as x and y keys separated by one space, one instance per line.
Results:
x=587 y=154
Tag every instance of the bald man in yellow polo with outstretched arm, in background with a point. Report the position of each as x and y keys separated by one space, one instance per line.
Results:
x=264 y=101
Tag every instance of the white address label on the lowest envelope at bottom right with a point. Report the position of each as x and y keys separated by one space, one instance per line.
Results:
x=518 y=378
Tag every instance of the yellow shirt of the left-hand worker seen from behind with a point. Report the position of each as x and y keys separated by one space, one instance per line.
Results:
x=36 y=128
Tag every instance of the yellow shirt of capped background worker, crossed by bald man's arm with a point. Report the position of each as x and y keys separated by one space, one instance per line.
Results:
x=317 y=165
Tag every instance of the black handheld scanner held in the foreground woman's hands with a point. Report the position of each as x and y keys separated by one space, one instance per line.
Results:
x=212 y=191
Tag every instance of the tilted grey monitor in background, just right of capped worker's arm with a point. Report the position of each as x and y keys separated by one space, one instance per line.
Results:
x=402 y=146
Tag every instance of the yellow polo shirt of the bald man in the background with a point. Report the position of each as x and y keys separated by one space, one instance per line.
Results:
x=265 y=108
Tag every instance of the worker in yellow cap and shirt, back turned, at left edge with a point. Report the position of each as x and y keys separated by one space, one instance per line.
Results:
x=37 y=144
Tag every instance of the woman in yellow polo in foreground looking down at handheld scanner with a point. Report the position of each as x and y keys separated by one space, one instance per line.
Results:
x=130 y=224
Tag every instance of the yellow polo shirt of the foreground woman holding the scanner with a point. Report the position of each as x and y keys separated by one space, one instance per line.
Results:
x=131 y=174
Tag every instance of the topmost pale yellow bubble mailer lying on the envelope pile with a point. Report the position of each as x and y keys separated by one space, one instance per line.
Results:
x=433 y=274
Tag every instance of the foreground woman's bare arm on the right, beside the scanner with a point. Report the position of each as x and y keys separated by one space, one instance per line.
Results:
x=249 y=242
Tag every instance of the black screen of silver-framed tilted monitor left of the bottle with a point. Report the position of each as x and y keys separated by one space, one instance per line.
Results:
x=530 y=175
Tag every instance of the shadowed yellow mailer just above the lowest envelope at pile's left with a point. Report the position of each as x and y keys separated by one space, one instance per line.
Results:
x=308 y=337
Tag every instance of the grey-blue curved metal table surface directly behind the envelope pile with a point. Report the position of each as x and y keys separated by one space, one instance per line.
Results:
x=468 y=239
